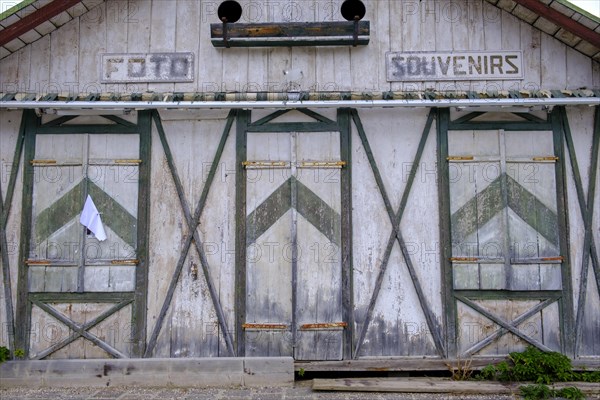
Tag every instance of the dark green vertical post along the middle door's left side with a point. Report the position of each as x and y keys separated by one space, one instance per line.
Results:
x=241 y=145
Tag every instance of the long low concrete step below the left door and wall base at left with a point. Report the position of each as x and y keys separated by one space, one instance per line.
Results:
x=150 y=372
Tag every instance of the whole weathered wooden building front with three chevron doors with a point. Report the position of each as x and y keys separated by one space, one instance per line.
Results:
x=418 y=182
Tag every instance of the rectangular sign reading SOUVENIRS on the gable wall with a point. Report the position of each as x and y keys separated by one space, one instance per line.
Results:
x=454 y=66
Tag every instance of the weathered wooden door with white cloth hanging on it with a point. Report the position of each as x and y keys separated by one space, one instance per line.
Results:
x=77 y=283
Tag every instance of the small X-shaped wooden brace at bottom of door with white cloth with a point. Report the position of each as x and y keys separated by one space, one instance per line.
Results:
x=81 y=330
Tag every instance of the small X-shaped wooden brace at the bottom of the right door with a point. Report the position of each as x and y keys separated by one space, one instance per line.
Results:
x=507 y=326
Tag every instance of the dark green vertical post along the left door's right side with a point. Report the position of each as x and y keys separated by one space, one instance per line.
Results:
x=143 y=236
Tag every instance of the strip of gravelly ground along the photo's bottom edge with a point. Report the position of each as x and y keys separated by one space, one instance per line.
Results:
x=302 y=390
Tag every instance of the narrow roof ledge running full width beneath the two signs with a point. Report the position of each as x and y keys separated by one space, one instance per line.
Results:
x=150 y=101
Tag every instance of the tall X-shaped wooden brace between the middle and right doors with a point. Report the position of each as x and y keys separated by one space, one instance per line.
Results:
x=396 y=235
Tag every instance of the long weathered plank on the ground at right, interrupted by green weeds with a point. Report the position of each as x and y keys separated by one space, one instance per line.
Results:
x=433 y=385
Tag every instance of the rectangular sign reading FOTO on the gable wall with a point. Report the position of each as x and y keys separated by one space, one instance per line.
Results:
x=148 y=67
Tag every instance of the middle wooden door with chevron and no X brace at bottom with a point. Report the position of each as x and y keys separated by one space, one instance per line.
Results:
x=294 y=299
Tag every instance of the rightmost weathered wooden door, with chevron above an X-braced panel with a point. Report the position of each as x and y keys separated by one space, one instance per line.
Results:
x=506 y=253
